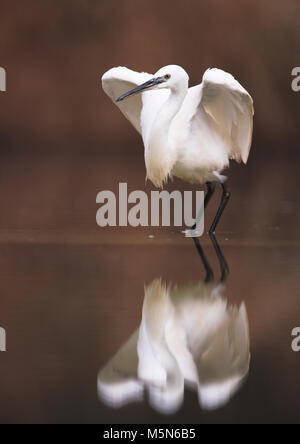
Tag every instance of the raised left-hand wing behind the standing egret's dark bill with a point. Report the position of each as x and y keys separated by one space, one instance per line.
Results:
x=118 y=81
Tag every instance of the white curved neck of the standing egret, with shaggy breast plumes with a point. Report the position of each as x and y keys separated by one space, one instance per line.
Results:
x=160 y=155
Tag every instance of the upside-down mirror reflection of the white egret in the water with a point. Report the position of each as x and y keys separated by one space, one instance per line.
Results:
x=188 y=335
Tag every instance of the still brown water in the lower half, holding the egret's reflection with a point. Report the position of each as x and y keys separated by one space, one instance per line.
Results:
x=150 y=330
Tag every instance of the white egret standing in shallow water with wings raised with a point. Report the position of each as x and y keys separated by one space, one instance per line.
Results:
x=190 y=133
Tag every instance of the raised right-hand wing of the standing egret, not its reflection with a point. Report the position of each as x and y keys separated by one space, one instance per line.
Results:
x=221 y=106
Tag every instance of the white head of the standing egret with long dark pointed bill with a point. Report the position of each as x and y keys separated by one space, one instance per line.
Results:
x=172 y=77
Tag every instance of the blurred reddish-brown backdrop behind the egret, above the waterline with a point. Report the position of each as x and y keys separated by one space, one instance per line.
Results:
x=61 y=135
